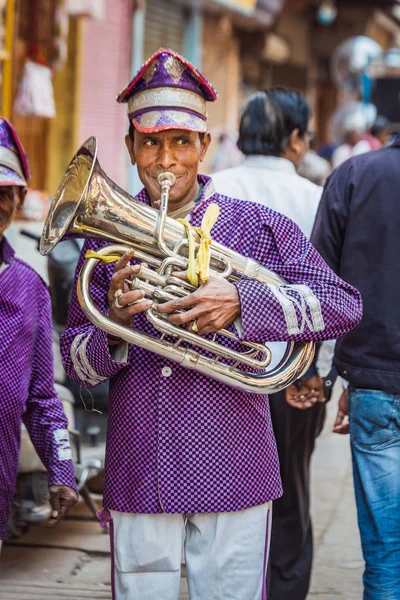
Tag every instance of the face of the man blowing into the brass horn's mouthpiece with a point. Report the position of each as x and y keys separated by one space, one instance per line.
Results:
x=176 y=151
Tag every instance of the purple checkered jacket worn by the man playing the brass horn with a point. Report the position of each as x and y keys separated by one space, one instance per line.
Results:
x=179 y=441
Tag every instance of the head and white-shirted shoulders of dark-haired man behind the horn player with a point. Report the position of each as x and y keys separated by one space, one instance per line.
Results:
x=274 y=137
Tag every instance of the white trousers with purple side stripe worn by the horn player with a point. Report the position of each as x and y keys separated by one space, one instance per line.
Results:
x=226 y=554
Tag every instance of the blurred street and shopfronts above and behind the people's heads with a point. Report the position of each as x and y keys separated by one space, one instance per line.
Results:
x=63 y=62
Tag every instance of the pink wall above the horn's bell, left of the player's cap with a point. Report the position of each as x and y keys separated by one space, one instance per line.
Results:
x=106 y=54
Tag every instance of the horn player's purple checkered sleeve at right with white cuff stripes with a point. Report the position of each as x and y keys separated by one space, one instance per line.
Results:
x=314 y=305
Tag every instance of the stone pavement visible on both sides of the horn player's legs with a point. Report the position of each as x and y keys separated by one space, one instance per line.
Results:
x=72 y=561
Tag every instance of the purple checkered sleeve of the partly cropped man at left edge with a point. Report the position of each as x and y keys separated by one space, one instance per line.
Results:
x=44 y=416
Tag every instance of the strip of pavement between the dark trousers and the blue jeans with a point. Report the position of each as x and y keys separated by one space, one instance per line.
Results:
x=338 y=563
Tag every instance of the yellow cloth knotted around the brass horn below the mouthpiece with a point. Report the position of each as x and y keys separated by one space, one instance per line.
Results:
x=199 y=265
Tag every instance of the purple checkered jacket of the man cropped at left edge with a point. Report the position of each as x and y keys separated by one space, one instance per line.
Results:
x=27 y=391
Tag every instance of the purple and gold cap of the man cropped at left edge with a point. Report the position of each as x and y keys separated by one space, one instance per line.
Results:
x=14 y=167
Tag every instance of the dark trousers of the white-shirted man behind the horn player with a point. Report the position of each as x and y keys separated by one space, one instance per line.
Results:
x=291 y=542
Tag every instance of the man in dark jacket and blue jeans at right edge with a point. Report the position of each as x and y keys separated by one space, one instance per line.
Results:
x=357 y=231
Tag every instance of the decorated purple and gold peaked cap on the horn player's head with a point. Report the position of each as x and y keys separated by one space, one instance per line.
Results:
x=168 y=93
